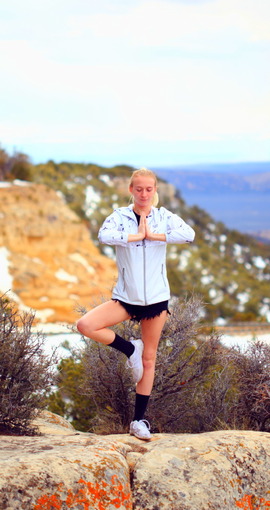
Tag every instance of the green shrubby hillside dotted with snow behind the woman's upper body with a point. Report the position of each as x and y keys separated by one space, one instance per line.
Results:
x=230 y=270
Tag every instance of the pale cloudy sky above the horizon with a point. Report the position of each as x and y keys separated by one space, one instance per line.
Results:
x=141 y=82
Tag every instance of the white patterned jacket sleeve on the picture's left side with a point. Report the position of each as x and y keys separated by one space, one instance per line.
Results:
x=112 y=231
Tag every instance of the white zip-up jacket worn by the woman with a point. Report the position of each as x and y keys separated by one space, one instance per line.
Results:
x=142 y=276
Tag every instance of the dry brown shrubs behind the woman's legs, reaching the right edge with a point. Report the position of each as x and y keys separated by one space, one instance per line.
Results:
x=200 y=385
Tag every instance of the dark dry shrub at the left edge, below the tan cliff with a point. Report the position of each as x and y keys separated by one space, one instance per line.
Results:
x=26 y=373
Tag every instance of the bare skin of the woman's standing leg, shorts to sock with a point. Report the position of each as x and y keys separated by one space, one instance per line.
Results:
x=151 y=331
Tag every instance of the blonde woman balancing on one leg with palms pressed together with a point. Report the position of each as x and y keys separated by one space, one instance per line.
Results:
x=139 y=233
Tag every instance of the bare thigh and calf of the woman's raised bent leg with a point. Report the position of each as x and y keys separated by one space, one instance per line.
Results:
x=95 y=323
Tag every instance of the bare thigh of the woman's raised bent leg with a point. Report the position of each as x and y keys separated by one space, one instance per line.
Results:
x=105 y=315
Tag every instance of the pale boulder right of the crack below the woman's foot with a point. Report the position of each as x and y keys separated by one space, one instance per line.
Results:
x=220 y=470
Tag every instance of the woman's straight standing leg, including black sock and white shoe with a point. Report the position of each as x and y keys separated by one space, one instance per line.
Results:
x=151 y=331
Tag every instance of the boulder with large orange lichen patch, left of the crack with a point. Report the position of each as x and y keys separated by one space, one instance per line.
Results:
x=54 y=472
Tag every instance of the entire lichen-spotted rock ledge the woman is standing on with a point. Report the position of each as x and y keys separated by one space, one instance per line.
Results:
x=65 y=469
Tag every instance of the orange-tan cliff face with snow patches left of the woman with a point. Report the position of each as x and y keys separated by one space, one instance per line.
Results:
x=48 y=257
